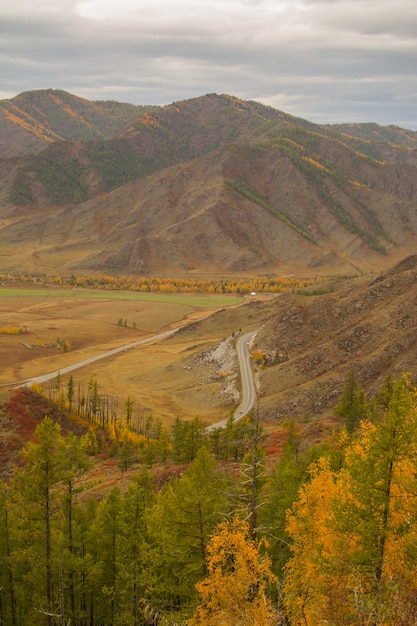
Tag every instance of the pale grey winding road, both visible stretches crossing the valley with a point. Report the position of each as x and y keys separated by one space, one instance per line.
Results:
x=248 y=385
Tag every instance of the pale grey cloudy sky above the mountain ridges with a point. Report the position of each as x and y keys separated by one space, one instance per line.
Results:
x=328 y=61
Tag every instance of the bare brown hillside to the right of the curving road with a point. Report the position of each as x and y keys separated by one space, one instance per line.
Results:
x=371 y=327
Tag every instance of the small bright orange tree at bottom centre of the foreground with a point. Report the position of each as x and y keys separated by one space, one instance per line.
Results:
x=234 y=592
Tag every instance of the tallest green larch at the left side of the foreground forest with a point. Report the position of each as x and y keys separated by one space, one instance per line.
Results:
x=38 y=520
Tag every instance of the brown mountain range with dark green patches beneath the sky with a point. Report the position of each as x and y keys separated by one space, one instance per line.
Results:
x=209 y=185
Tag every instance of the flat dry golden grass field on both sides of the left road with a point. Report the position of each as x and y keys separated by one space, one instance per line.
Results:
x=162 y=377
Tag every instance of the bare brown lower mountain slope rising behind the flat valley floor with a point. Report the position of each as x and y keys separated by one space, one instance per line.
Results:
x=191 y=218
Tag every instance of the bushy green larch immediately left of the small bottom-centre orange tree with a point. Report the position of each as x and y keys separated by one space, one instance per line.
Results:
x=186 y=512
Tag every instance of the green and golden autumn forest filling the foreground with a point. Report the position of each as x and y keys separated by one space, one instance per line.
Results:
x=326 y=535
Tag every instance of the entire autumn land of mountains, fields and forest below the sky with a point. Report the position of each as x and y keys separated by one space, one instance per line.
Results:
x=204 y=261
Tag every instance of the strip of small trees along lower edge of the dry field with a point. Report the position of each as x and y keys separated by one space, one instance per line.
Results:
x=141 y=437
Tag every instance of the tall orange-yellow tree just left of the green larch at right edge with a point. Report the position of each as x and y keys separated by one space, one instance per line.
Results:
x=317 y=580
